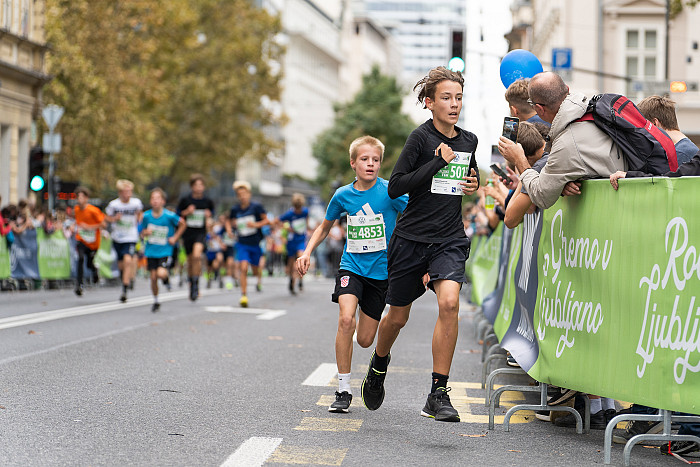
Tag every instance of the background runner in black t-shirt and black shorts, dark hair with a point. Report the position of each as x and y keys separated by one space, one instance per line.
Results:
x=196 y=208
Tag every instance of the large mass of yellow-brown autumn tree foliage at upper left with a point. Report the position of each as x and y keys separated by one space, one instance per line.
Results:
x=160 y=88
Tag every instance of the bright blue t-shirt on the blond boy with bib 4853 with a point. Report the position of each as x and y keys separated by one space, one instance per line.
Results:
x=348 y=199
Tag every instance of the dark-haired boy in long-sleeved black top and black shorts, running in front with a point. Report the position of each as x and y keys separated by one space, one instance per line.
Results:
x=429 y=236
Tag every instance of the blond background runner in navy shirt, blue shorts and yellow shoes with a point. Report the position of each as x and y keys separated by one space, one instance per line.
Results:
x=249 y=218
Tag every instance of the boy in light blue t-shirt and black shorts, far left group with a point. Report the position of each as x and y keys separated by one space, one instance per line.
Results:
x=161 y=230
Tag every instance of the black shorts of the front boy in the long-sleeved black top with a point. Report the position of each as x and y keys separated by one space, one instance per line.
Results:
x=409 y=261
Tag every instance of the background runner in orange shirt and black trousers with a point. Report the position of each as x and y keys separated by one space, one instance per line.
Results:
x=88 y=220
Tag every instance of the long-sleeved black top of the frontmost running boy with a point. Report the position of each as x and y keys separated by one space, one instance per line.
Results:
x=429 y=217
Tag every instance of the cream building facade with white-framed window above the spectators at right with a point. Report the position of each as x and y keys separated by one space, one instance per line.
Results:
x=620 y=46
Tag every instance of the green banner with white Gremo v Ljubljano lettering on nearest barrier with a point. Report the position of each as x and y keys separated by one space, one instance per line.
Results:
x=617 y=312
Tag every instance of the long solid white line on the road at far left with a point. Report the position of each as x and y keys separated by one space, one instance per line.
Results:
x=44 y=316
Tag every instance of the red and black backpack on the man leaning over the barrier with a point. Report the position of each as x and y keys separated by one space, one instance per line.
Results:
x=645 y=147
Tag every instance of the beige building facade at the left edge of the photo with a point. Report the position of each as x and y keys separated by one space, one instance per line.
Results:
x=22 y=77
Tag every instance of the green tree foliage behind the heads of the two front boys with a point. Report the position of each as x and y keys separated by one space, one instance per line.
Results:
x=375 y=111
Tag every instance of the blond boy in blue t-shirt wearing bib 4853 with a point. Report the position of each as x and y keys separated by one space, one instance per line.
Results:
x=362 y=277
